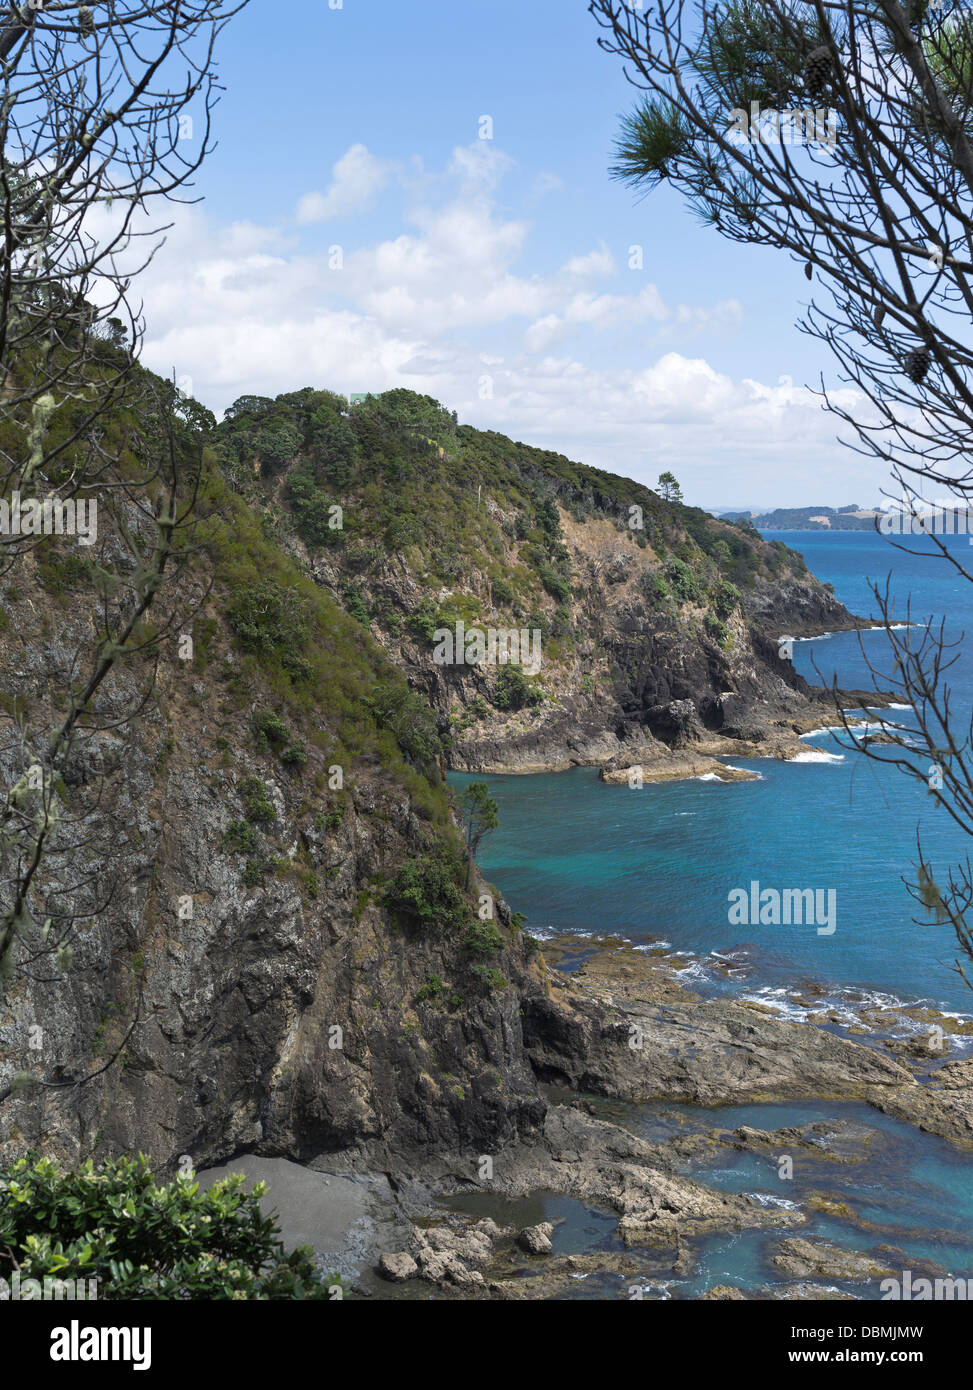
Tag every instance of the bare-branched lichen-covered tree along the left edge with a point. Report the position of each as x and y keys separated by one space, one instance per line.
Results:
x=106 y=112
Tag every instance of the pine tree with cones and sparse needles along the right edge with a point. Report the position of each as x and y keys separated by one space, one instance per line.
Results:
x=842 y=133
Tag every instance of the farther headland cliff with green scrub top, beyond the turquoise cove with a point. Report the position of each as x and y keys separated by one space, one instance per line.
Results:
x=654 y=625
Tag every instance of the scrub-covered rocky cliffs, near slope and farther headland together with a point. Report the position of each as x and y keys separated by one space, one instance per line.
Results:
x=272 y=945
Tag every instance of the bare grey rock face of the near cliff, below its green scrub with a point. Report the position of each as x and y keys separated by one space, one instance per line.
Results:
x=293 y=1017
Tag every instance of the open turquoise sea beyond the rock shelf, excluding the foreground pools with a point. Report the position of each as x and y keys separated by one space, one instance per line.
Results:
x=578 y=856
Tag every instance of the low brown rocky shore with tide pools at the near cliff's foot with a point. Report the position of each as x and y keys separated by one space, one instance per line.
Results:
x=623 y=1029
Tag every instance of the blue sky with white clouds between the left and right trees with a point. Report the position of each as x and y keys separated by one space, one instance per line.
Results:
x=419 y=195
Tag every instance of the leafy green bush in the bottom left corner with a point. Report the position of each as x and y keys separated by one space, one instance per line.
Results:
x=142 y=1239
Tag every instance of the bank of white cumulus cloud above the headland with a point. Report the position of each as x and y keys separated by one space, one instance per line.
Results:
x=445 y=306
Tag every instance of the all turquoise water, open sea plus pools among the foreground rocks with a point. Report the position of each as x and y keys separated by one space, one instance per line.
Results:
x=660 y=864
